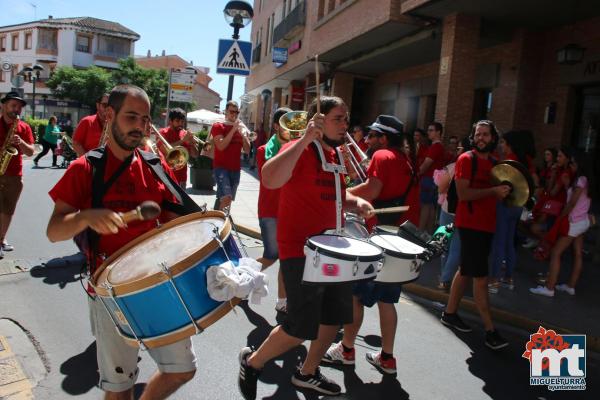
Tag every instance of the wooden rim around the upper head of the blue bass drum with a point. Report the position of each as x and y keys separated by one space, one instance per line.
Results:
x=157 y=278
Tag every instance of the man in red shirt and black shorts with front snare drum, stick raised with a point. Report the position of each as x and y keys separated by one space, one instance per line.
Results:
x=307 y=207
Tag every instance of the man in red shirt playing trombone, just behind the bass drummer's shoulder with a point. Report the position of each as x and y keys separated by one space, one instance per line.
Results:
x=175 y=135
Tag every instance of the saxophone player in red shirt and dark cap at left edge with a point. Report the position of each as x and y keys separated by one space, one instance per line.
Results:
x=11 y=182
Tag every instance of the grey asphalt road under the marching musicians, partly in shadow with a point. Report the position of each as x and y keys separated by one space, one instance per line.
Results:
x=433 y=361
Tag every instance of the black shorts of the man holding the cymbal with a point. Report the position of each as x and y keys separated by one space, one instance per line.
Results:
x=475 y=248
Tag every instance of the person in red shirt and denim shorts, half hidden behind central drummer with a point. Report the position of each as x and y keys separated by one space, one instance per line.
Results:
x=268 y=203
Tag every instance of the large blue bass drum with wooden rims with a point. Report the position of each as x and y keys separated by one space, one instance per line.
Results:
x=155 y=287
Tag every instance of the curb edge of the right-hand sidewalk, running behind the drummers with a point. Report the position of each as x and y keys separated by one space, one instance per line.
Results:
x=530 y=325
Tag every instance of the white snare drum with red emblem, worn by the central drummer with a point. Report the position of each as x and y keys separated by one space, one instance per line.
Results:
x=339 y=259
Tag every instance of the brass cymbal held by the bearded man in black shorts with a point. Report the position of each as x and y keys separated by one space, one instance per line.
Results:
x=514 y=174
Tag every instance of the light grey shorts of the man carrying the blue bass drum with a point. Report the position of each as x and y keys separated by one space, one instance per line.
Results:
x=117 y=361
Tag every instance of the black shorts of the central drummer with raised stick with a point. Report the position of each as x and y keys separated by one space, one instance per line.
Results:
x=309 y=306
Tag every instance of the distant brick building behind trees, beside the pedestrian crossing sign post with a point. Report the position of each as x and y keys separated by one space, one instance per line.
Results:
x=203 y=96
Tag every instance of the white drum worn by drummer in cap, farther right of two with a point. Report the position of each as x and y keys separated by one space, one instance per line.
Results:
x=403 y=259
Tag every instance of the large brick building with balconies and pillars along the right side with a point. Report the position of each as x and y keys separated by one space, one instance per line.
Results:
x=453 y=61
